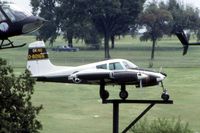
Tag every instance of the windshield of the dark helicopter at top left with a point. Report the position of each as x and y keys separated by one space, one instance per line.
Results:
x=15 y=13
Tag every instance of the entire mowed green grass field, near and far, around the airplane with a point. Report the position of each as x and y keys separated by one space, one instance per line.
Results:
x=78 y=108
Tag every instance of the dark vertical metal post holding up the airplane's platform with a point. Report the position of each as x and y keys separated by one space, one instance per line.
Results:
x=115 y=117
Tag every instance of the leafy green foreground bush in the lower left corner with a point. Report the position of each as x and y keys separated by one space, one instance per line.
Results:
x=17 y=114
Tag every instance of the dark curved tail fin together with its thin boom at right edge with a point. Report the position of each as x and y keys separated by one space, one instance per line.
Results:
x=178 y=31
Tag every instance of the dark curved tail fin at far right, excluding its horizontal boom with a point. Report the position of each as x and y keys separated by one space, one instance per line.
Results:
x=182 y=37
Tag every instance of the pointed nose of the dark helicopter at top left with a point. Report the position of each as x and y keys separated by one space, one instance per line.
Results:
x=33 y=25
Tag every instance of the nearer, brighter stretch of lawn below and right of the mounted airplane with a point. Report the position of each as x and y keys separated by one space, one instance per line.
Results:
x=77 y=108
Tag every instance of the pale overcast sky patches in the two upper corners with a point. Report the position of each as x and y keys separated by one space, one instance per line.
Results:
x=26 y=3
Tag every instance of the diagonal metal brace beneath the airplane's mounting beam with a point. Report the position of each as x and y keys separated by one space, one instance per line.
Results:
x=139 y=117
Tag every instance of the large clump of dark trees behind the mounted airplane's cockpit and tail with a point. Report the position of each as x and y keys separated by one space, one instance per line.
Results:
x=71 y=17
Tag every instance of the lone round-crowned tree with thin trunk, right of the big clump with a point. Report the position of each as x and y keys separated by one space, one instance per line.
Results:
x=157 y=23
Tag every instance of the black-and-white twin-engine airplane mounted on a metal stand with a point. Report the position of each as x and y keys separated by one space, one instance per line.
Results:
x=110 y=72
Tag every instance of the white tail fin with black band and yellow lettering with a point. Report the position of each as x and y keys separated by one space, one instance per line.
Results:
x=38 y=62
